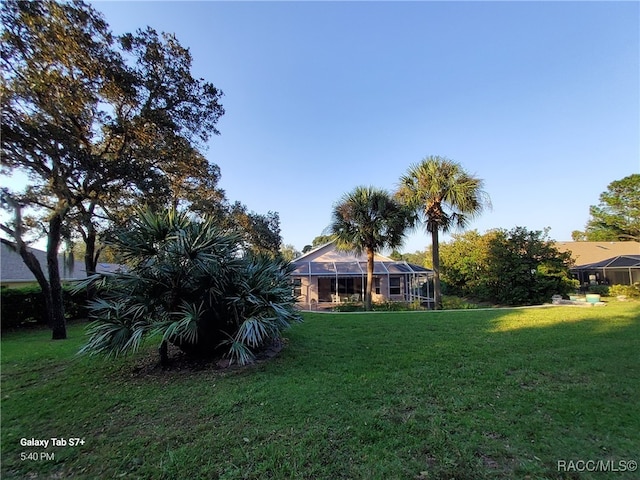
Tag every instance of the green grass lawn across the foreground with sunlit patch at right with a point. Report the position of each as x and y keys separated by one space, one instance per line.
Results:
x=476 y=394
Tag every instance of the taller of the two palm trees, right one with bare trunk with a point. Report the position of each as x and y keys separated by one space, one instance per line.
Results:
x=445 y=196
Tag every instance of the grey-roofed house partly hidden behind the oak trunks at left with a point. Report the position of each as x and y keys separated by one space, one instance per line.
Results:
x=14 y=272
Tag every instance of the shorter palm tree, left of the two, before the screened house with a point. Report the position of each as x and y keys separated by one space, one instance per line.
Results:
x=367 y=220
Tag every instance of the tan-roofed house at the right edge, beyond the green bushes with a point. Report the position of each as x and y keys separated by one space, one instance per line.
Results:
x=609 y=263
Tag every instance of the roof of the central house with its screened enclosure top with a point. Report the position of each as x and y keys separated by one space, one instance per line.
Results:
x=328 y=260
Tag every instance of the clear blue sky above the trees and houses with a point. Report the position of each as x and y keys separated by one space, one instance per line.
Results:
x=539 y=99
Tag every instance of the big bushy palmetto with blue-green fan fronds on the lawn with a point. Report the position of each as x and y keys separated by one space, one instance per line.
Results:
x=192 y=285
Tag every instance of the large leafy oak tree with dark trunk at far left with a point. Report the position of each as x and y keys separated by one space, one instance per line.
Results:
x=98 y=124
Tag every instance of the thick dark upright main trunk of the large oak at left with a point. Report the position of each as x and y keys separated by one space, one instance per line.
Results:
x=56 y=315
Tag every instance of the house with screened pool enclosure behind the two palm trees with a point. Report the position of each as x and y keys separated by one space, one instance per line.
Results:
x=327 y=275
